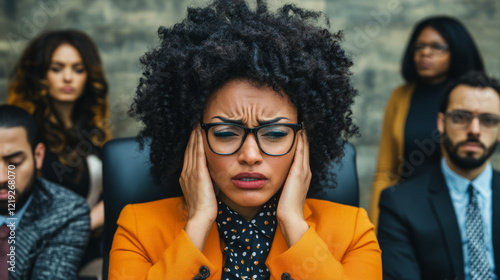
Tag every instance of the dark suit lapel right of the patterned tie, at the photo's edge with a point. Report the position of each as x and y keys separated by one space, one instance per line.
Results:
x=495 y=186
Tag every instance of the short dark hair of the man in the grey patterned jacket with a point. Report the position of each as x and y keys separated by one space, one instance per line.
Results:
x=12 y=116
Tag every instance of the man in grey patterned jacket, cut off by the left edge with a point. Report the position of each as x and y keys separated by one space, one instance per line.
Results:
x=44 y=228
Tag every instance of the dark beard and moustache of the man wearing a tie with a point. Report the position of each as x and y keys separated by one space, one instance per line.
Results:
x=468 y=162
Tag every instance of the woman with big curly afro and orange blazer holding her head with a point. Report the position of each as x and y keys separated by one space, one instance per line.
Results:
x=243 y=109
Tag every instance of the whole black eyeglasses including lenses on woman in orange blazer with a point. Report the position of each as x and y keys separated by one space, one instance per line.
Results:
x=273 y=139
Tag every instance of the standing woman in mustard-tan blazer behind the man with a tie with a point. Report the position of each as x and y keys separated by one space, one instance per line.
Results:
x=439 y=49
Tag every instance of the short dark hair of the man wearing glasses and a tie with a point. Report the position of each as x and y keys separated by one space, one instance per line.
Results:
x=476 y=79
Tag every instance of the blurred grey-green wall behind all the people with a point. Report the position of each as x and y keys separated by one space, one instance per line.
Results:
x=376 y=32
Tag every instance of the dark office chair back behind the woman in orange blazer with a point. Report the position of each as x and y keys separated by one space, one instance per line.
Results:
x=126 y=180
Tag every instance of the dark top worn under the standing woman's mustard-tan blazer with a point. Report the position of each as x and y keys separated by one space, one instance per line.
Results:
x=421 y=140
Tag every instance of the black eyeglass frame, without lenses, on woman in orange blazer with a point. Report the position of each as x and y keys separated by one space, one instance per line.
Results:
x=295 y=127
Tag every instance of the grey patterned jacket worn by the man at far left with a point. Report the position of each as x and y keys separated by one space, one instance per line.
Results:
x=52 y=234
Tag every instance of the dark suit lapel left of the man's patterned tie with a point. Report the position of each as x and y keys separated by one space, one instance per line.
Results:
x=445 y=213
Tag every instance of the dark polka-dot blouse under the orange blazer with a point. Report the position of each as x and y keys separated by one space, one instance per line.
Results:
x=247 y=243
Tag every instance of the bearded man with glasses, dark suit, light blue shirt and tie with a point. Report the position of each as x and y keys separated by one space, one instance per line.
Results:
x=446 y=224
